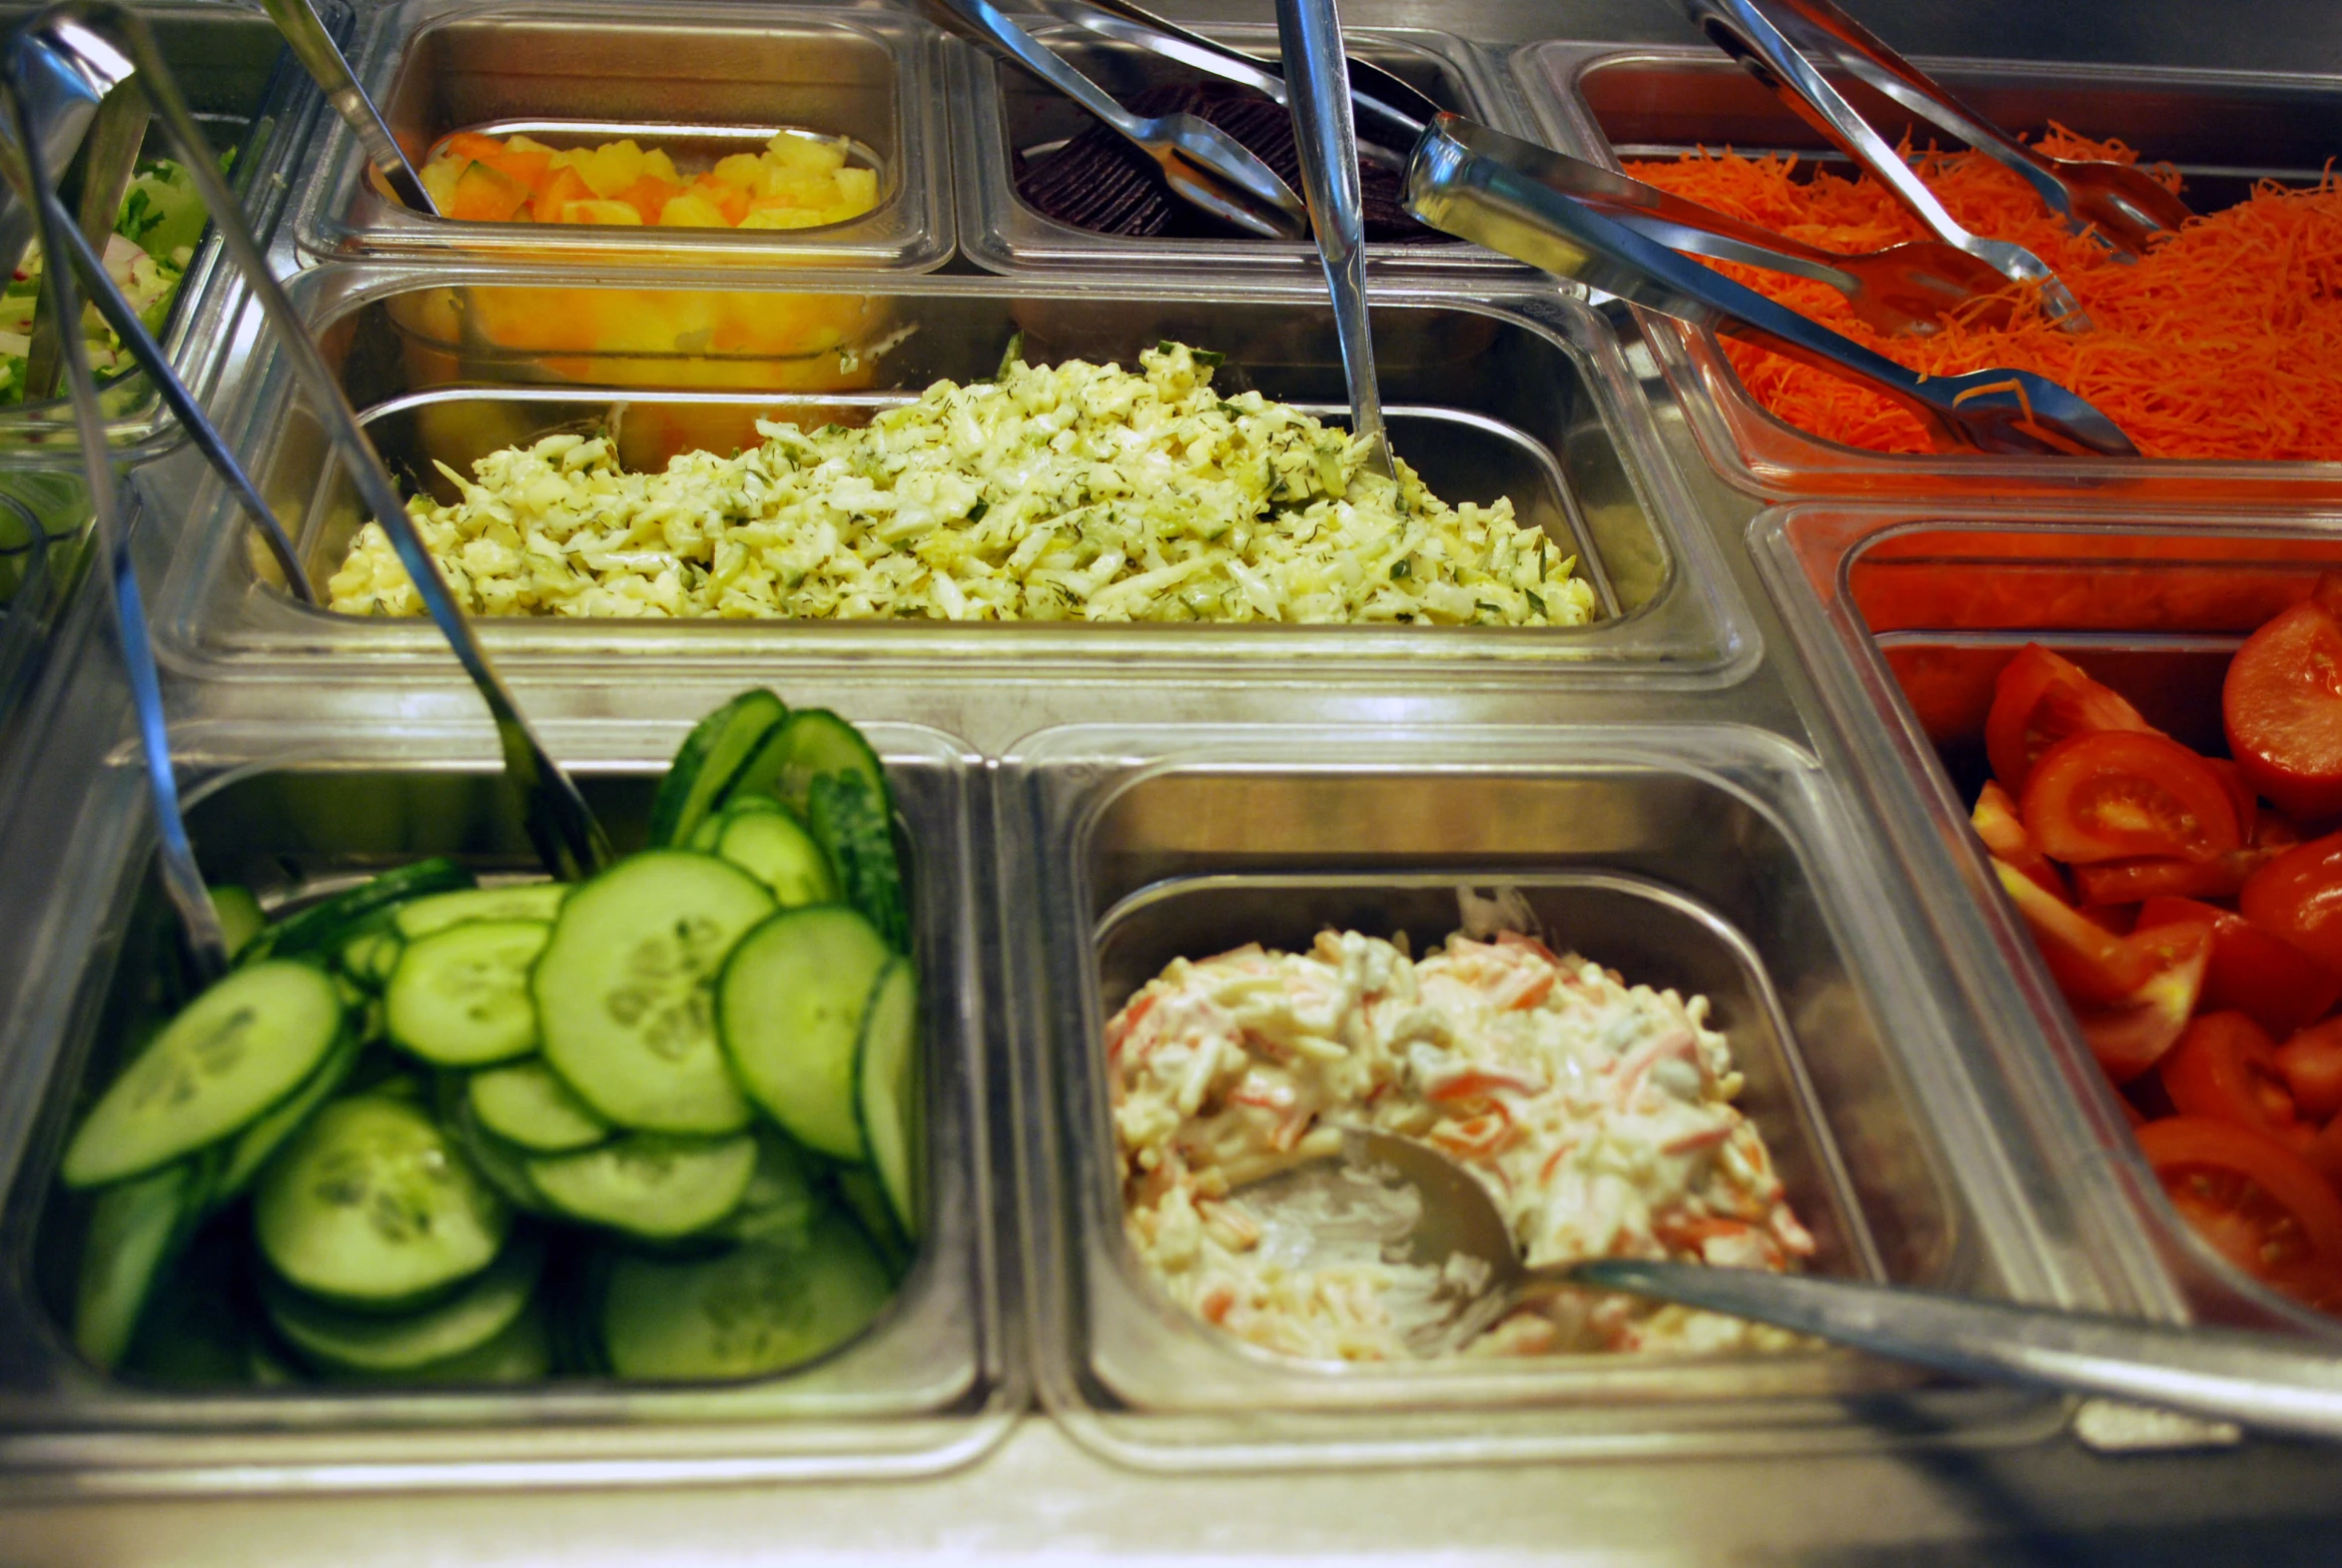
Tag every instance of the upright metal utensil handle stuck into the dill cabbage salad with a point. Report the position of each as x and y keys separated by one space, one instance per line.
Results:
x=1310 y=36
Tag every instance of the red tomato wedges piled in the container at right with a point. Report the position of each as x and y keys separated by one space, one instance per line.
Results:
x=2191 y=912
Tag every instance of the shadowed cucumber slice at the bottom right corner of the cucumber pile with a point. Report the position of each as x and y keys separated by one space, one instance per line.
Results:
x=751 y=1312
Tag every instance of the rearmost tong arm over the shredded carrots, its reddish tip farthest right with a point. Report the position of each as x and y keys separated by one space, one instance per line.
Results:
x=2116 y=205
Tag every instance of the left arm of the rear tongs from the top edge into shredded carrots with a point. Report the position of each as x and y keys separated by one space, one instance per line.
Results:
x=1746 y=34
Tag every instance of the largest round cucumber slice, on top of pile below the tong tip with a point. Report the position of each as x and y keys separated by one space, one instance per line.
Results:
x=624 y=991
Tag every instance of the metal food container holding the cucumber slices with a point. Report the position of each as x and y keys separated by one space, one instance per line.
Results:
x=289 y=809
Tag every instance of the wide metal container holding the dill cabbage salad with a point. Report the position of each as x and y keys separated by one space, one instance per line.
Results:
x=1523 y=399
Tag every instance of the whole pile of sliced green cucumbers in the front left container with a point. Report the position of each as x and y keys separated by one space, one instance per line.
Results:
x=657 y=1125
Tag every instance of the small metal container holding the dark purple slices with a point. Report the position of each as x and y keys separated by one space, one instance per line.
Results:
x=1006 y=114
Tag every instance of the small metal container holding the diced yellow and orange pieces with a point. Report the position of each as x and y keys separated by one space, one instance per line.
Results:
x=701 y=78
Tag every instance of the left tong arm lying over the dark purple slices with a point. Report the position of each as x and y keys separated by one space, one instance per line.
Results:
x=1205 y=165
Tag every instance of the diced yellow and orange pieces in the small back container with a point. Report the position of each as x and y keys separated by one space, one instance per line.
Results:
x=797 y=181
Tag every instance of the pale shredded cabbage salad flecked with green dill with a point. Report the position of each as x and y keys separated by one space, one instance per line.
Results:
x=1074 y=493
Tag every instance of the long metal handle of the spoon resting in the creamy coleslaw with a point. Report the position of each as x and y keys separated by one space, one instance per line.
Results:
x=2254 y=1380
